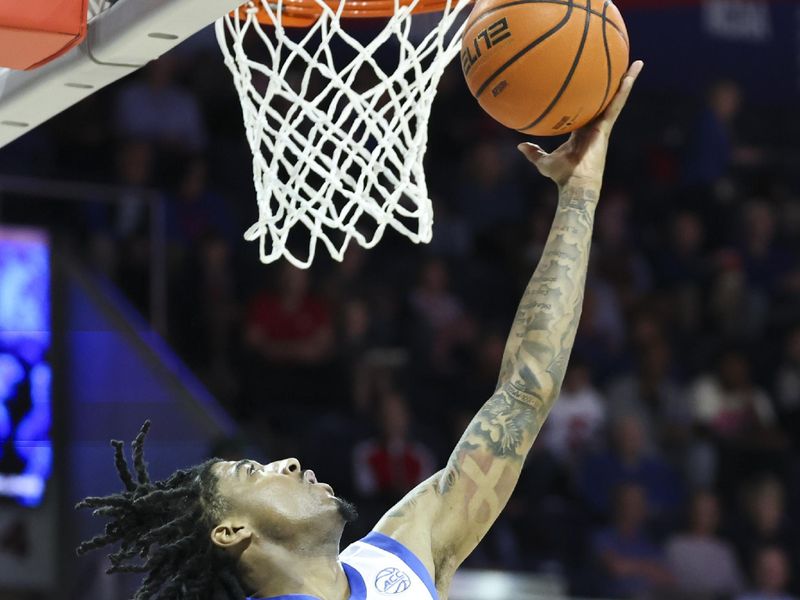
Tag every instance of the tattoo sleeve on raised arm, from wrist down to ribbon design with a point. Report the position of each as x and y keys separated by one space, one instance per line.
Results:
x=486 y=462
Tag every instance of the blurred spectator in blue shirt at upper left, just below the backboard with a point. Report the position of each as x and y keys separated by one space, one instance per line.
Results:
x=156 y=109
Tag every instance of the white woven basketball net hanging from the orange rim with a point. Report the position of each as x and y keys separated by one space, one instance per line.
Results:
x=337 y=125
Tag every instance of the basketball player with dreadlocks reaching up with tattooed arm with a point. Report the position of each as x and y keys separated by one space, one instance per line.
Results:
x=228 y=529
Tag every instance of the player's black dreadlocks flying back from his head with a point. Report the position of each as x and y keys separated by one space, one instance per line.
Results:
x=163 y=529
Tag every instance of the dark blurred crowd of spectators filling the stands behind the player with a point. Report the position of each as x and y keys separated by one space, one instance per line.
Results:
x=670 y=461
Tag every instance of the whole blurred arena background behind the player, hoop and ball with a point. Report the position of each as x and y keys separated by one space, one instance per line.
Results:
x=121 y=254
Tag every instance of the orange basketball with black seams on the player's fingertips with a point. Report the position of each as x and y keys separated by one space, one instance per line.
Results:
x=544 y=67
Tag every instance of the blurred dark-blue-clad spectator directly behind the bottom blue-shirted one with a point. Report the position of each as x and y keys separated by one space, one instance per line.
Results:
x=629 y=462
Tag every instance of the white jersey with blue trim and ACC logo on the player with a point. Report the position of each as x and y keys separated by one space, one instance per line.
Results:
x=380 y=568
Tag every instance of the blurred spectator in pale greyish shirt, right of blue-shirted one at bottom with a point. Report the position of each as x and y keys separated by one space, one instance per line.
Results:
x=704 y=565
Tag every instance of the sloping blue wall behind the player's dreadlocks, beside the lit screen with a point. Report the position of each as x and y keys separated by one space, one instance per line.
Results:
x=119 y=374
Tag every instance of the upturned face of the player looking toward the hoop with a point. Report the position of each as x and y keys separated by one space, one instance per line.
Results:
x=279 y=499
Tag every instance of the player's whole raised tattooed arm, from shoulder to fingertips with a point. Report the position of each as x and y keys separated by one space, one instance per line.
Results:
x=444 y=518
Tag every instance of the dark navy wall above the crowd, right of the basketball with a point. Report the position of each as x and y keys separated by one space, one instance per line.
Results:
x=687 y=45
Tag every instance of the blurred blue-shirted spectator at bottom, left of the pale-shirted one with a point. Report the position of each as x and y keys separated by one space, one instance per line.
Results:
x=632 y=565
